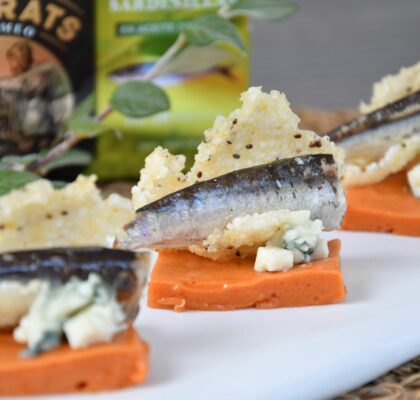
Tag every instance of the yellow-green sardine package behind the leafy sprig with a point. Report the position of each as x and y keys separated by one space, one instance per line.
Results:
x=201 y=83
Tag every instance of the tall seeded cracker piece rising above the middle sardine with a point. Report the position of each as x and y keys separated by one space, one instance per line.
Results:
x=262 y=130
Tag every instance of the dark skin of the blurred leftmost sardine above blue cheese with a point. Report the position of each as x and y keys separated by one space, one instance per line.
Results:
x=120 y=269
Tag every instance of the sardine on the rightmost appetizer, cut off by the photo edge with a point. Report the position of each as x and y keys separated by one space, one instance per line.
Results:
x=373 y=133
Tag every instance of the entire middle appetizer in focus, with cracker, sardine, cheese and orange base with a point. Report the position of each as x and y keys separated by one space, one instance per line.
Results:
x=243 y=227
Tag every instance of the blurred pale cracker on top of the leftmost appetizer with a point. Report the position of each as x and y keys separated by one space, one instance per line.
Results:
x=38 y=216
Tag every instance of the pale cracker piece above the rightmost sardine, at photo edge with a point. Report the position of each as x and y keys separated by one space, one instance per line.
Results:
x=393 y=87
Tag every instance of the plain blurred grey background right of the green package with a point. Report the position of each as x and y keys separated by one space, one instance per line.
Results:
x=330 y=52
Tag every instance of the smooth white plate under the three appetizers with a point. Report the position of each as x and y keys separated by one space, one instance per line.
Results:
x=297 y=353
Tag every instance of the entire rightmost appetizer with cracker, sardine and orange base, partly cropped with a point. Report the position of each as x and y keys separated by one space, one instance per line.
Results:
x=382 y=171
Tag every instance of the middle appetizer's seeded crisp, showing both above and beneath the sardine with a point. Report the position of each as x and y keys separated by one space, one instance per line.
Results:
x=264 y=129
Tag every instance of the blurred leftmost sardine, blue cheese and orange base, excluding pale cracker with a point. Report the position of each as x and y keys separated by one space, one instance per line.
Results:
x=66 y=320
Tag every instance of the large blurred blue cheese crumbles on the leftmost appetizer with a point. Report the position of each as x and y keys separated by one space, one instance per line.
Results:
x=86 y=312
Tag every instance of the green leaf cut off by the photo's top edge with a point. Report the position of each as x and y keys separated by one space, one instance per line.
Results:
x=272 y=10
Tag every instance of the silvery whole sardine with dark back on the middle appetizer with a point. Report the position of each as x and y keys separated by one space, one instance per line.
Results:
x=190 y=215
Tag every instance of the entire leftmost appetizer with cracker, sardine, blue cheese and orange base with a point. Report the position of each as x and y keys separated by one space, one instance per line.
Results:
x=66 y=313
